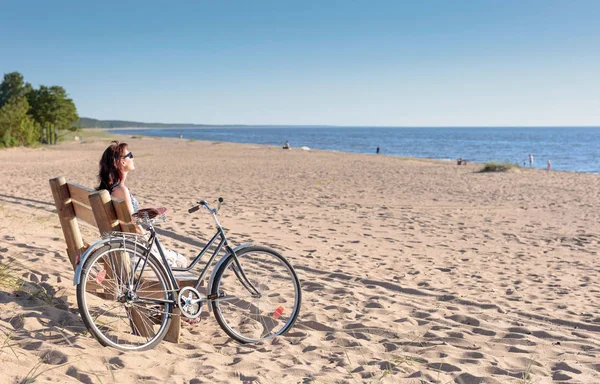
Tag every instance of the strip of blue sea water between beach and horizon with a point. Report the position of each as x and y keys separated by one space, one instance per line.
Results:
x=568 y=148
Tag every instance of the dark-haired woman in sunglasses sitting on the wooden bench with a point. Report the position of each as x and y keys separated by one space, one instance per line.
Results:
x=115 y=164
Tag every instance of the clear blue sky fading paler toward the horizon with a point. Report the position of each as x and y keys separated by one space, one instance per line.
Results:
x=371 y=63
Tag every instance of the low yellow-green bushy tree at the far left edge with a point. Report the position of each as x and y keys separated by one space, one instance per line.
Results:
x=16 y=126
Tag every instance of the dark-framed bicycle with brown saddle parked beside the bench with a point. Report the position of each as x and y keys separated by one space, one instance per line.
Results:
x=126 y=294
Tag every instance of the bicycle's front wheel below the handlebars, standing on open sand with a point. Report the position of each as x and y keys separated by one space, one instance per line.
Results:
x=248 y=316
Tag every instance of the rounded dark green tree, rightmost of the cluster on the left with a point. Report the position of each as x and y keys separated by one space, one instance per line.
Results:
x=53 y=110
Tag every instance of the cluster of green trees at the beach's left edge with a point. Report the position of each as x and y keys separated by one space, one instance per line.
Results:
x=29 y=116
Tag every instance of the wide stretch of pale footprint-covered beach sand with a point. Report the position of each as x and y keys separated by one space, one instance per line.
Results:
x=412 y=270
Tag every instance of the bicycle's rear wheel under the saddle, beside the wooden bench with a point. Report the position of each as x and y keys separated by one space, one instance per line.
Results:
x=114 y=312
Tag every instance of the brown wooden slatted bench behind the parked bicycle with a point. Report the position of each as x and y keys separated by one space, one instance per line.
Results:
x=76 y=203
